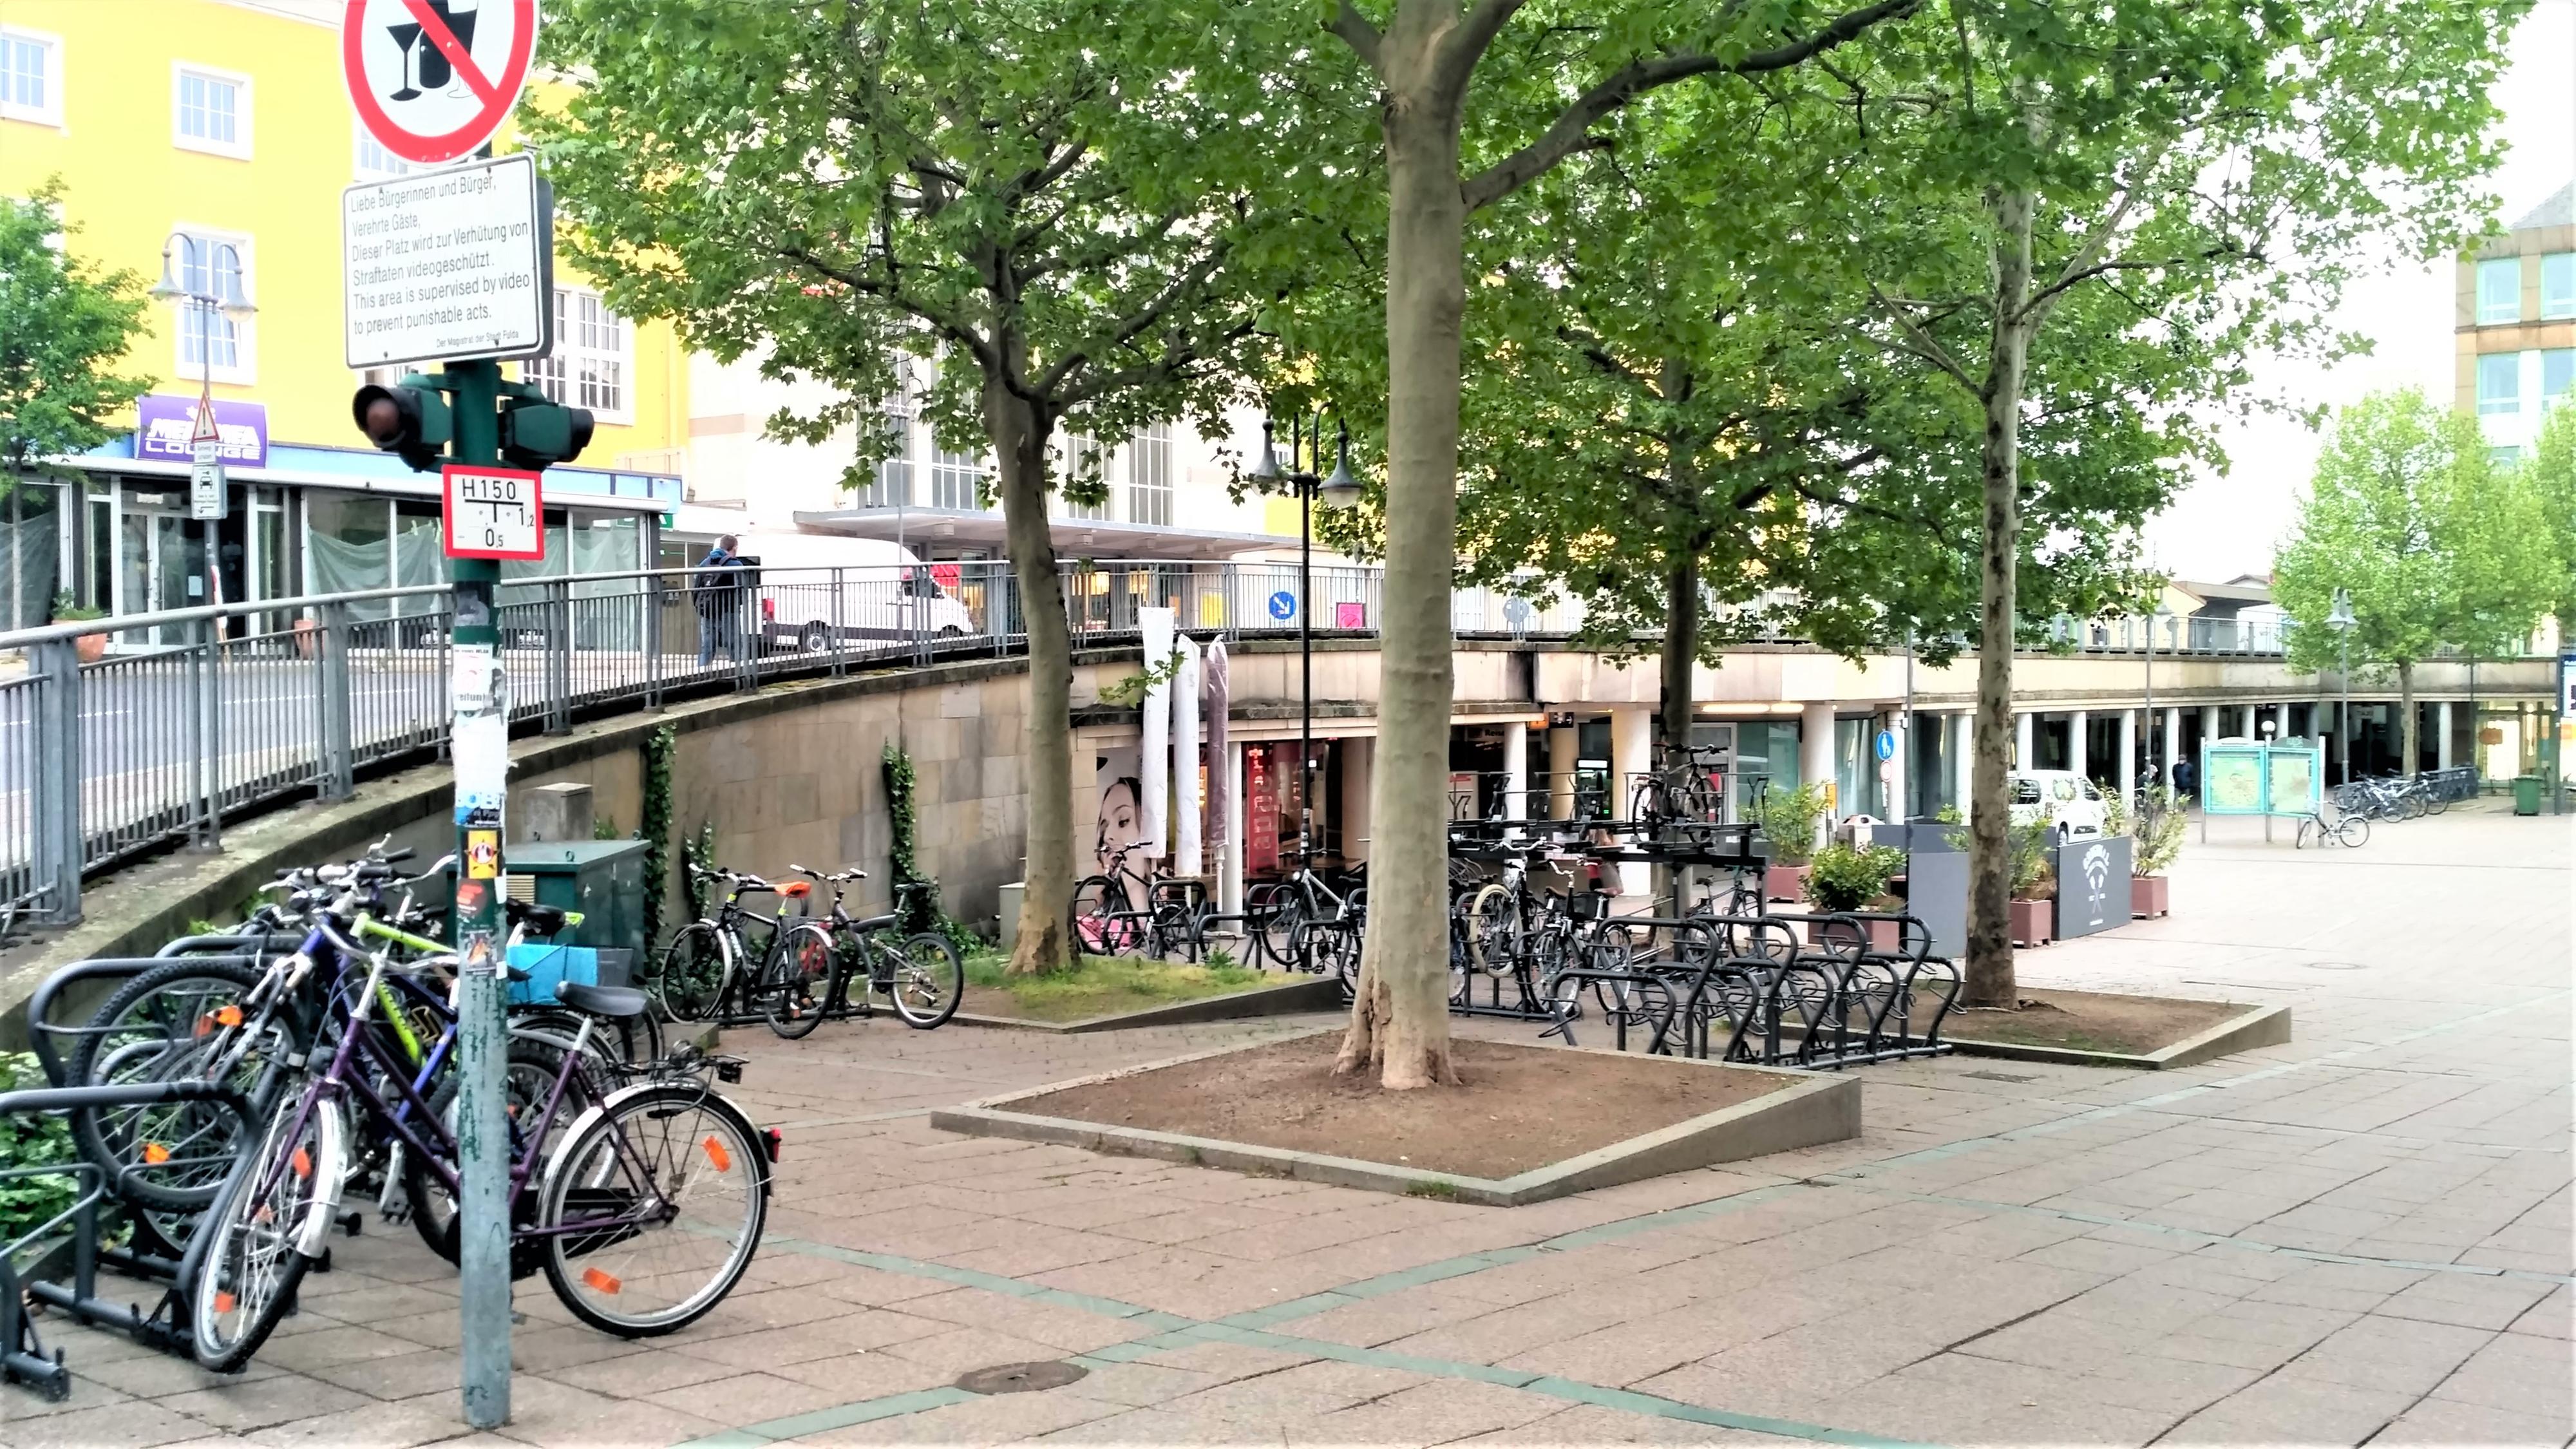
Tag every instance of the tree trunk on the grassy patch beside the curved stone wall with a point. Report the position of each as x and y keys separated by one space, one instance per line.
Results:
x=1019 y=450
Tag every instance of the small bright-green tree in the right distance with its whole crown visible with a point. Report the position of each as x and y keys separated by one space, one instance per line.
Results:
x=2433 y=543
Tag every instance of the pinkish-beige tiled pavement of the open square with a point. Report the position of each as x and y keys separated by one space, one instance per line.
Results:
x=2363 y=1236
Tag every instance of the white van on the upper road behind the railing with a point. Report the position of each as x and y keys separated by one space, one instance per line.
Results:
x=823 y=589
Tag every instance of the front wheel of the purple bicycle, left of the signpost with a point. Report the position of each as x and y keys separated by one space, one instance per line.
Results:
x=254 y=1267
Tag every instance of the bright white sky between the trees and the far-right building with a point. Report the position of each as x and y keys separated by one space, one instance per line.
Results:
x=2227 y=527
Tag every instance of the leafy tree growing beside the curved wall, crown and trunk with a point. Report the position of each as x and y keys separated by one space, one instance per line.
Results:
x=1050 y=202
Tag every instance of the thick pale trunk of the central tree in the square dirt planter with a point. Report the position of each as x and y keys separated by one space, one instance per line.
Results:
x=1400 y=1015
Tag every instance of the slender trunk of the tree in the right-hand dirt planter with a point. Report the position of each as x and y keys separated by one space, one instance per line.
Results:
x=1990 y=808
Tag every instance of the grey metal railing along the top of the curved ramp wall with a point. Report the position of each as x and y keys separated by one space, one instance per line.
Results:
x=143 y=731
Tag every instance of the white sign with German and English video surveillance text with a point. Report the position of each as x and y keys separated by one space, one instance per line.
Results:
x=450 y=267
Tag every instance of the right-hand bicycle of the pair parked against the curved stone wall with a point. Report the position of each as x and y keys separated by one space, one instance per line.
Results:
x=921 y=976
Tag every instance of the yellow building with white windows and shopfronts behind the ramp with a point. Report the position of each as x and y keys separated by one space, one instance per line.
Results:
x=223 y=130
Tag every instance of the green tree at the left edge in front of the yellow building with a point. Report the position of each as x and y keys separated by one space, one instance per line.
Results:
x=63 y=324
